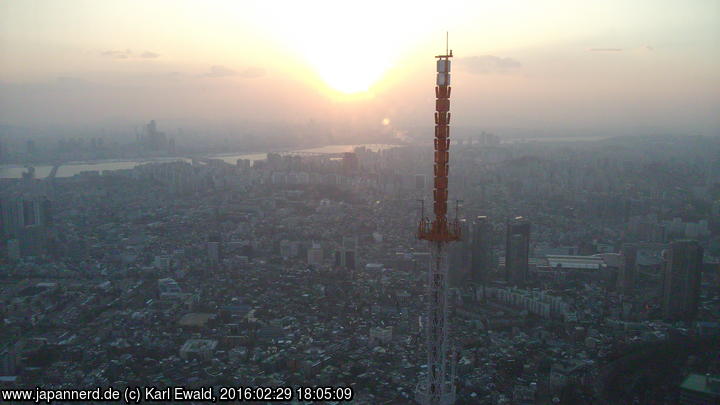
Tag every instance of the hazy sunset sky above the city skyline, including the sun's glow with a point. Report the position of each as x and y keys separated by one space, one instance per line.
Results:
x=557 y=66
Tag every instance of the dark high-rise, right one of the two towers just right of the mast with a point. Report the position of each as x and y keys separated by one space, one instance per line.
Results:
x=517 y=250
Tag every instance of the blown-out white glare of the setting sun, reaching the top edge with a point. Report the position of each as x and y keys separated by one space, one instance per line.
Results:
x=349 y=47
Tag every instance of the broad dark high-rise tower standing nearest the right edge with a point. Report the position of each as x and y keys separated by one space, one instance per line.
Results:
x=681 y=281
